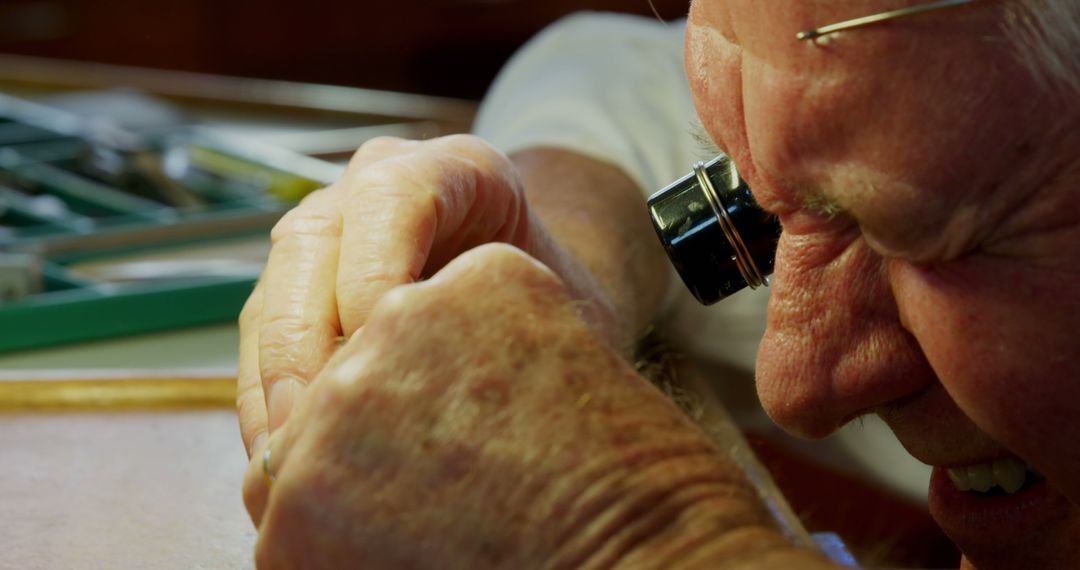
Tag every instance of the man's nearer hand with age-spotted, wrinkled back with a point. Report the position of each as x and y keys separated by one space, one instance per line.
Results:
x=493 y=430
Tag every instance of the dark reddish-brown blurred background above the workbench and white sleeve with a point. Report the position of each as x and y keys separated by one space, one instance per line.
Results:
x=435 y=47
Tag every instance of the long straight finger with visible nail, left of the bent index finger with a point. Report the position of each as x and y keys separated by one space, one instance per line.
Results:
x=300 y=318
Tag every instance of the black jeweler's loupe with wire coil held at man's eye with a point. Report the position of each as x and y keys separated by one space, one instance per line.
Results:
x=715 y=235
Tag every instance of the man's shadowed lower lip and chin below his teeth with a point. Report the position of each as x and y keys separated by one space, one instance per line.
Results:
x=1035 y=528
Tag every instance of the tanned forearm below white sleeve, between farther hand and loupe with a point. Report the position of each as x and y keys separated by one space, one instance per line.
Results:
x=598 y=215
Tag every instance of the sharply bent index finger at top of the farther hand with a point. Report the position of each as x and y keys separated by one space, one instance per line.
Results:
x=411 y=214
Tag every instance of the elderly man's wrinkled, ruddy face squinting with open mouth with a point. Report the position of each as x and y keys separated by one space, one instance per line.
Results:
x=929 y=270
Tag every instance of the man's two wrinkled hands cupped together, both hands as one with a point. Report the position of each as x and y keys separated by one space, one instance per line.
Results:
x=482 y=418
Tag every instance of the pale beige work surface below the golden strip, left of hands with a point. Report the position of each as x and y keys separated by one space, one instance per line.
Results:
x=123 y=491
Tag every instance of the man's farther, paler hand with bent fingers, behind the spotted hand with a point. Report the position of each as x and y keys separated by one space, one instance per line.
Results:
x=402 y=211
